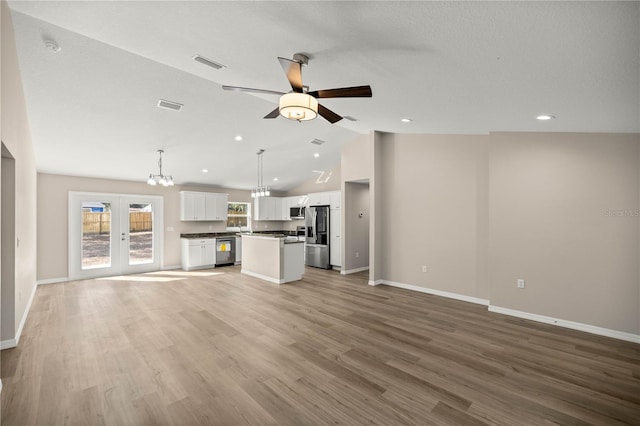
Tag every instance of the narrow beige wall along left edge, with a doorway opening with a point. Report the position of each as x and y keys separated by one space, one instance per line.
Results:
x=16 y=136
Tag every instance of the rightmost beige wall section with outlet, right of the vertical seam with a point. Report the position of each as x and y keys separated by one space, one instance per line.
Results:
x=565 y=218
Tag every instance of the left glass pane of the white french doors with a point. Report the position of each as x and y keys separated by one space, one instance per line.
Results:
x=96 y=234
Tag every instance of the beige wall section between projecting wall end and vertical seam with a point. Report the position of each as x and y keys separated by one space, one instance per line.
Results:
x=434 y=190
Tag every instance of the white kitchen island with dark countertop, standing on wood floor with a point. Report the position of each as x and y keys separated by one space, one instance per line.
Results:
x=273 y=258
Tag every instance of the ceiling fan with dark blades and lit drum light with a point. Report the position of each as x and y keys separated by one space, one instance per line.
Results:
x=300 y=104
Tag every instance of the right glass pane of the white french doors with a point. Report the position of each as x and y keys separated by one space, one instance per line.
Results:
x=140 y=233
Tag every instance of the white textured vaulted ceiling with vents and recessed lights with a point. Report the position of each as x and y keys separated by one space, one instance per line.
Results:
x=452 y=67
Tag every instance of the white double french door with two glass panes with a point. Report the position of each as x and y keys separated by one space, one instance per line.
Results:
x=113 y=234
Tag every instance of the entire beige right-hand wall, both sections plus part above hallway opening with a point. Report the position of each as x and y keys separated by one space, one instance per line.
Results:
x=560 y=210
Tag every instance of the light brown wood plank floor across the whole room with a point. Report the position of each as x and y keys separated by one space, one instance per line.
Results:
x=216 y=347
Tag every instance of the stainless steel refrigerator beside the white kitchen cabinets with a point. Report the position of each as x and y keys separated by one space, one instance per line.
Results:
x=317 y=241
